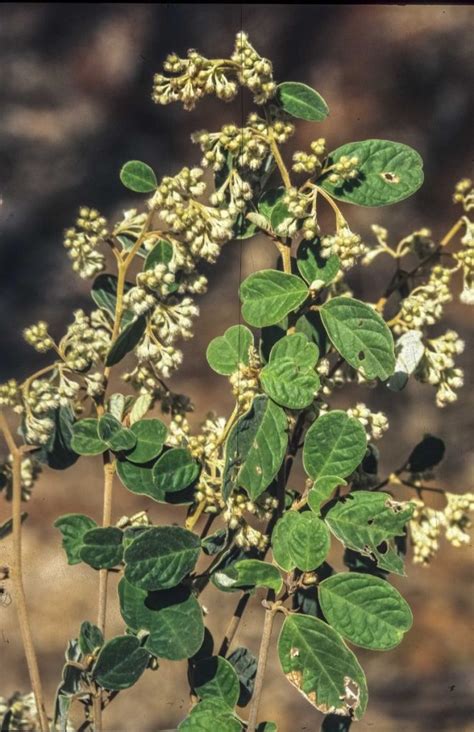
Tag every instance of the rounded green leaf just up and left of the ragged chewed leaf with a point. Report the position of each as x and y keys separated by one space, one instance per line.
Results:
x=334 y=446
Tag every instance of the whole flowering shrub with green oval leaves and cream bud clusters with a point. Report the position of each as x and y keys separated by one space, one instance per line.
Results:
x=306 y=335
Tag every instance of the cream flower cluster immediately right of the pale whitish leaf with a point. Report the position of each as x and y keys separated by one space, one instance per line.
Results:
x=437 y=367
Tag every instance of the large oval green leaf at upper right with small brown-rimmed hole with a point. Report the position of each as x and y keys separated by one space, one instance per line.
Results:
x=388 y=172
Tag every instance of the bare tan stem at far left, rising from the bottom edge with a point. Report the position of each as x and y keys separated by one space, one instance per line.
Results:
x=17 y=578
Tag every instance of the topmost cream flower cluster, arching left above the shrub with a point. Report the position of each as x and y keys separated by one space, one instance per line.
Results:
x=195 y=76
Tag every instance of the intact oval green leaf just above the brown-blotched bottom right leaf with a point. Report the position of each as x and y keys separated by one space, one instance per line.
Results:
x=366 y=610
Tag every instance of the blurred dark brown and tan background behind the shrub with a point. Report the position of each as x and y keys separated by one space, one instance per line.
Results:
x=75 y=105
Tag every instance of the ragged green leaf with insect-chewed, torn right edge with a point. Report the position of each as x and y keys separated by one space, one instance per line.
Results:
x=366 y=522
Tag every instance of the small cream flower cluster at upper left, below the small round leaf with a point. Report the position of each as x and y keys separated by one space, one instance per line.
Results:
x=82 y=242
